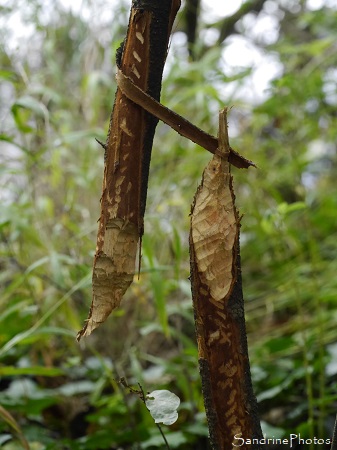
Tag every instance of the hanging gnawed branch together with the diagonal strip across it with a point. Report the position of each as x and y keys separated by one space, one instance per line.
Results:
x=127 y=160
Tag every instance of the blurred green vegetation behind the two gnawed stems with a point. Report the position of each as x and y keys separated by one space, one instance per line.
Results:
x=57 y=90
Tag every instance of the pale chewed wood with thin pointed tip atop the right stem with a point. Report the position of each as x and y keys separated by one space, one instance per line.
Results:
x=215 y=223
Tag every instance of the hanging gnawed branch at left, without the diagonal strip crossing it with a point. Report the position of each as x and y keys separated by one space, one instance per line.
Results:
x=127 y=158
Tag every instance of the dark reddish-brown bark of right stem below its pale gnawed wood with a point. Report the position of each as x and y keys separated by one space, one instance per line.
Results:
x=230 y=403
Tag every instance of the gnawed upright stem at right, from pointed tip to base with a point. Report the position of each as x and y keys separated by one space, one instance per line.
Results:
x=218 y=306
